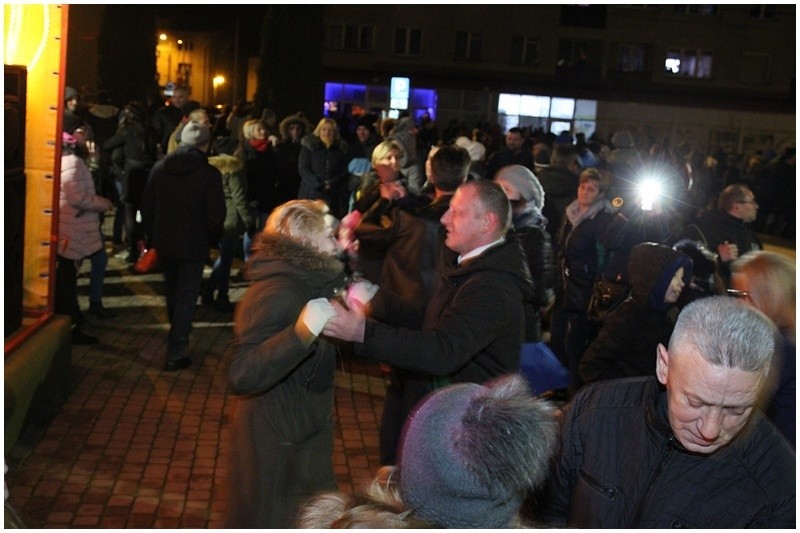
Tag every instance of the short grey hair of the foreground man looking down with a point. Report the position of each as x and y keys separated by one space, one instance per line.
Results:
x=727 y=333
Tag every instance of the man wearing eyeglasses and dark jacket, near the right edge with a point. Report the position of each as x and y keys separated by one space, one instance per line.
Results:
x=727 y=230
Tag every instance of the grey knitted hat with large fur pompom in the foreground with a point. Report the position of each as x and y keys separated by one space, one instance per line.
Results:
x=471 y=452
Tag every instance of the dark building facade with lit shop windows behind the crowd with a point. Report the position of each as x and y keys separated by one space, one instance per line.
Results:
x=706 y=74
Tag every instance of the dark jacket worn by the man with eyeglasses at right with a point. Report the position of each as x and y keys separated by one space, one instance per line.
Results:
x=715 y=228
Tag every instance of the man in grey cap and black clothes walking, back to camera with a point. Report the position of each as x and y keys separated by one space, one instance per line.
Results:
x=183 y=211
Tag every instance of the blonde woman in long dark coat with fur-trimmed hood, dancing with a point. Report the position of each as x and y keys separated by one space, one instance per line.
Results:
x=282 y=372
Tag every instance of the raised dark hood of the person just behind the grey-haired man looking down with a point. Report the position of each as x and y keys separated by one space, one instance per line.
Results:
x=650 y=270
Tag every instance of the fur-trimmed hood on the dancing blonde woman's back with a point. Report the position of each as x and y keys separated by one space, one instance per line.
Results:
x=275 y=254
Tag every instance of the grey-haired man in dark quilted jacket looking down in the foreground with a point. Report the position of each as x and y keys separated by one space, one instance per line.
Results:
x=687 y=448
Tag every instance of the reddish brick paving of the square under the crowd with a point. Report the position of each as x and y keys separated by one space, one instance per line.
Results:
x=135 y=447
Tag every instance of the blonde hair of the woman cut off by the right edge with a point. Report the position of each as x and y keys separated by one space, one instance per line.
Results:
x=771 y=285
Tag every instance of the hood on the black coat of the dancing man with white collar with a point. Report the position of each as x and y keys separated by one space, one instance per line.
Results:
x=506 y=259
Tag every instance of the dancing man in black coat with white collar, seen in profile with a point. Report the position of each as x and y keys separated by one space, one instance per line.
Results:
x=473 y=325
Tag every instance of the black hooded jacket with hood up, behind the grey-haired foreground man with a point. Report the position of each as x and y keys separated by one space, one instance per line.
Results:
x=627 y=341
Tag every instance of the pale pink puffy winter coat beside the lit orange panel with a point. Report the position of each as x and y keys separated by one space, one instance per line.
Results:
x=78 y=220
